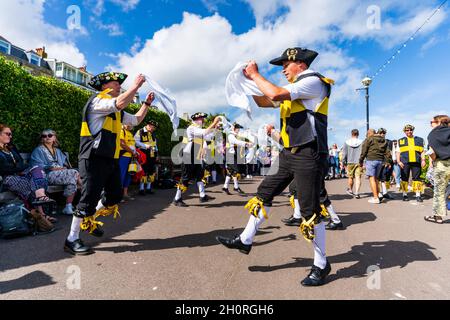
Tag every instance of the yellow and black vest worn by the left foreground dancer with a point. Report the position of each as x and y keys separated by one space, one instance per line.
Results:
x=106 y=143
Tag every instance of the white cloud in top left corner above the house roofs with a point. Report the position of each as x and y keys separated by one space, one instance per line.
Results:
x=32 y=31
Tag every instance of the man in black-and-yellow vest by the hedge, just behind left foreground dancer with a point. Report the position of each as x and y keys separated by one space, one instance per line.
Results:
x=146 y=141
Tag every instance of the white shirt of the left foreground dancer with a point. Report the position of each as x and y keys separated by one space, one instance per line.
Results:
x=100 y=108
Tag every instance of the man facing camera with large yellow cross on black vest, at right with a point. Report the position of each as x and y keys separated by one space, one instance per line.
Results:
x=411 y=158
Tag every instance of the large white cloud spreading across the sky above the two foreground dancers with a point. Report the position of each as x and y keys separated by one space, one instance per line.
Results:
x=193 y=57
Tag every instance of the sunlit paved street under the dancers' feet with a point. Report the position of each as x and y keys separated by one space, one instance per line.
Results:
x=157 y=251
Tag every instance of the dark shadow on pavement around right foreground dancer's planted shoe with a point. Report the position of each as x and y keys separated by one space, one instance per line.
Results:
x=383 y=254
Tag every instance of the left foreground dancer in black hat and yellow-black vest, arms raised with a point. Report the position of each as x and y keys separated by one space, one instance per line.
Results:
x=102 y=121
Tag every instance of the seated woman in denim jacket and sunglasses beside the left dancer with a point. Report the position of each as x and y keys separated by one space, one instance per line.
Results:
x=58 y=170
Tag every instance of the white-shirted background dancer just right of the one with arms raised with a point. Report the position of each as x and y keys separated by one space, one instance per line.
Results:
x=235 y=157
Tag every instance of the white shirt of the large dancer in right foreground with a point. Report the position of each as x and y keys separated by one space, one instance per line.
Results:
x=311 y=91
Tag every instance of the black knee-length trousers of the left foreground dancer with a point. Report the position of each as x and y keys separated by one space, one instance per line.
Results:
x=98 y=174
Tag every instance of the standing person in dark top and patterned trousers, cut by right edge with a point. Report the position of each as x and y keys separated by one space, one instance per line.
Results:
x=439 y=143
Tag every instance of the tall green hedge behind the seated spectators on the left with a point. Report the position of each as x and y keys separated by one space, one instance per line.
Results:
x=31 y=104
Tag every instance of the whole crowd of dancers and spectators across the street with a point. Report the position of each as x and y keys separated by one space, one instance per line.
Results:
x=111 y=156
